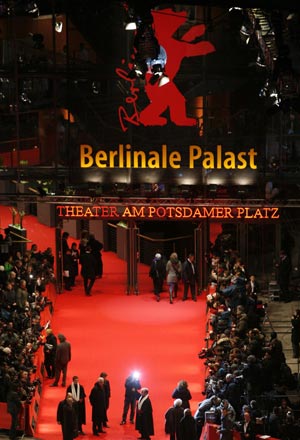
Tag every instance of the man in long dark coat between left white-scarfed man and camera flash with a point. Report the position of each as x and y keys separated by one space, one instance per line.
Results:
x=97 y=400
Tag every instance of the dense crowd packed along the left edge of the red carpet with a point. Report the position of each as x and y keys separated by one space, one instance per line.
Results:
x=23 y=280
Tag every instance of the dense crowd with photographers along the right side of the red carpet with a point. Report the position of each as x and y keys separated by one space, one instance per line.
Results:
x=248 y=381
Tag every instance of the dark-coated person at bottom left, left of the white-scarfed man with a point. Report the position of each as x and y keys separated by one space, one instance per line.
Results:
x=67 y=417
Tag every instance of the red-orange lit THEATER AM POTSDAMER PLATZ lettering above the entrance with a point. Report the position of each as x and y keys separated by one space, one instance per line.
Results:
x=151 y=212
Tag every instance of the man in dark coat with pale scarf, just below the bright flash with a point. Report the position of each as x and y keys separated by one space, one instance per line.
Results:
x=144 y=415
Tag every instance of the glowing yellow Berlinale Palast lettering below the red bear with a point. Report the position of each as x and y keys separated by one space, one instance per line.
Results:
x=125 y=156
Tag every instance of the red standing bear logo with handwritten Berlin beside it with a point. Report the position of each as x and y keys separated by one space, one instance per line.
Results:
x=167 y=24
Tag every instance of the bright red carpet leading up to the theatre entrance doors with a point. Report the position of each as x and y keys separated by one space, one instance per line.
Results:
x=118 y=333
